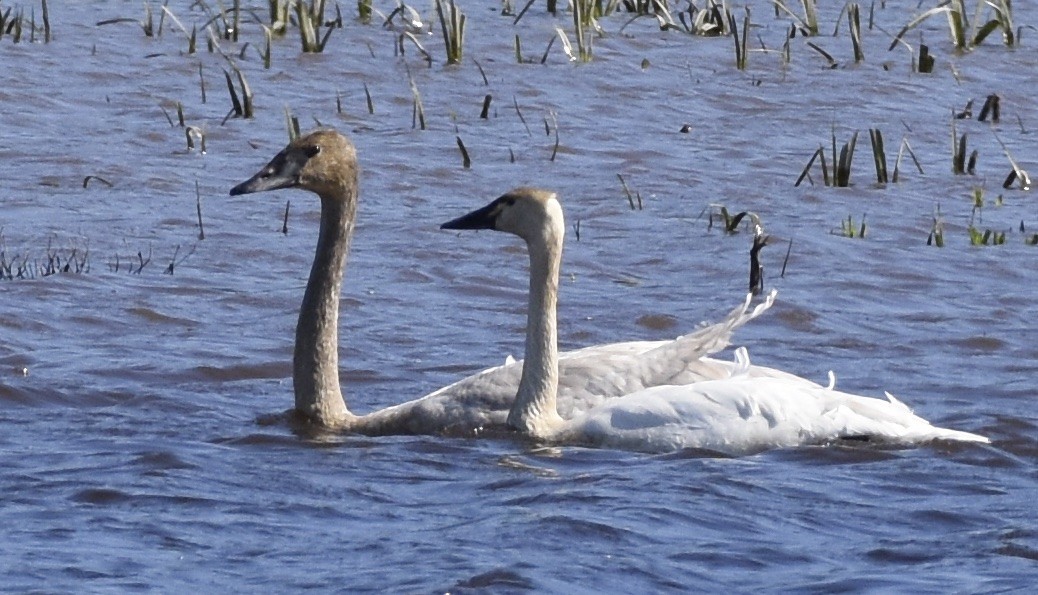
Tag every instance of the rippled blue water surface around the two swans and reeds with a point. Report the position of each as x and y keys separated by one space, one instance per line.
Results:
x=142 y=445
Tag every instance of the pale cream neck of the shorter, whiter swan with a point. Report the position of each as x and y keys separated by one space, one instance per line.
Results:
x=535 y=411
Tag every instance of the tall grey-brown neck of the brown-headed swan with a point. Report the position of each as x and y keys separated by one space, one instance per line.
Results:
x=316 y=360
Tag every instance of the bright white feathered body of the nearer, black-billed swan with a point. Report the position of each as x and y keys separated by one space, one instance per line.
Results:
x=747 y=415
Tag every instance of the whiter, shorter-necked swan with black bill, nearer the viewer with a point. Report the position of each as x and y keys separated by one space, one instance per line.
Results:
x=755 y=410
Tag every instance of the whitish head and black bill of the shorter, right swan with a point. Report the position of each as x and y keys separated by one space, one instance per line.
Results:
x=531 y=213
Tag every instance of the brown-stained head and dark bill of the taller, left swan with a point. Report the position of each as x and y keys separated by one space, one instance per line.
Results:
x=323 y=161
